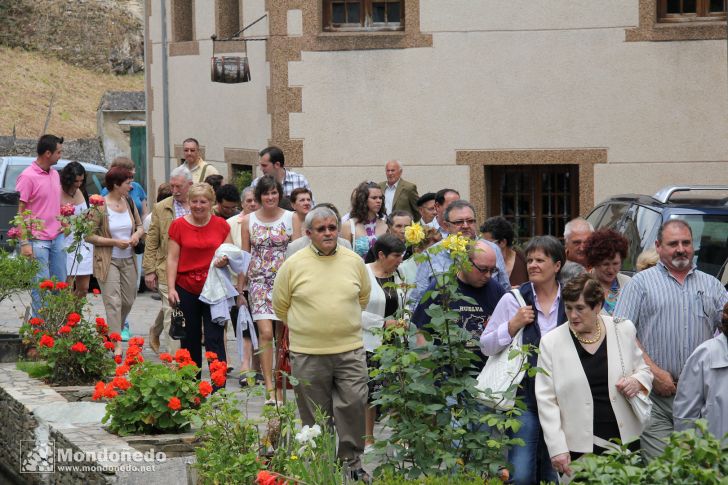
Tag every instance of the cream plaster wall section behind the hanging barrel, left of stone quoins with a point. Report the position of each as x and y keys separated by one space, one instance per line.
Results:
x=218 y=115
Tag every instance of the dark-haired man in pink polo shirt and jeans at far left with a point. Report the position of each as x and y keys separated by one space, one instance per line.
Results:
x=40 y=192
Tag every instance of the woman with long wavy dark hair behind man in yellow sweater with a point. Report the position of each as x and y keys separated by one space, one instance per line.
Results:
x=366 y=222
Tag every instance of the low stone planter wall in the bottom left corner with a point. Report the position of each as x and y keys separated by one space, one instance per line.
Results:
x=33 y=411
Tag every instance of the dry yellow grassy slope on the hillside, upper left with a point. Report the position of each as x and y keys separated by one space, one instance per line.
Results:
x=29 y=79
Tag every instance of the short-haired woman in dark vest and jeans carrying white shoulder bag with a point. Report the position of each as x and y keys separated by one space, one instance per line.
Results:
x=543 y=312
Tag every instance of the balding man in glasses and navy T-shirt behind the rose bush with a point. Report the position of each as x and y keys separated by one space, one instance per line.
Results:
x=477 y=283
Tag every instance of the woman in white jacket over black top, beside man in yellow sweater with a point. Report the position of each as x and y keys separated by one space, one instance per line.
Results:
x=383 y=304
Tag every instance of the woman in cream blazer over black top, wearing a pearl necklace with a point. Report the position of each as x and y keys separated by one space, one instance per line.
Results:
x=582 y=397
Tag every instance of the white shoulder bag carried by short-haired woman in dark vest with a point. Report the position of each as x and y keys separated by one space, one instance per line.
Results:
x=500 y=373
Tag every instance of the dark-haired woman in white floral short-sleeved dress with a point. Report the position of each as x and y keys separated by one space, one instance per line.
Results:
x=265 y=235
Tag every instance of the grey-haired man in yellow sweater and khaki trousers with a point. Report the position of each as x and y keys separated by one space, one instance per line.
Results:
x=320 y=292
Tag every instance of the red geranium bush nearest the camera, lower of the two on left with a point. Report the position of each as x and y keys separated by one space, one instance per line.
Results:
x=149 y=398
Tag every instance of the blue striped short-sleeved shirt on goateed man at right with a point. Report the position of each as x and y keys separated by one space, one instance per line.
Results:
x=672 y=319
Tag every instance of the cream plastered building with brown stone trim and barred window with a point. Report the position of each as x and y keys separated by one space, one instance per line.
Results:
x=532 y=108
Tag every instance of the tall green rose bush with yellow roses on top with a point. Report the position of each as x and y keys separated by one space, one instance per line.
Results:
x=428 y=397
